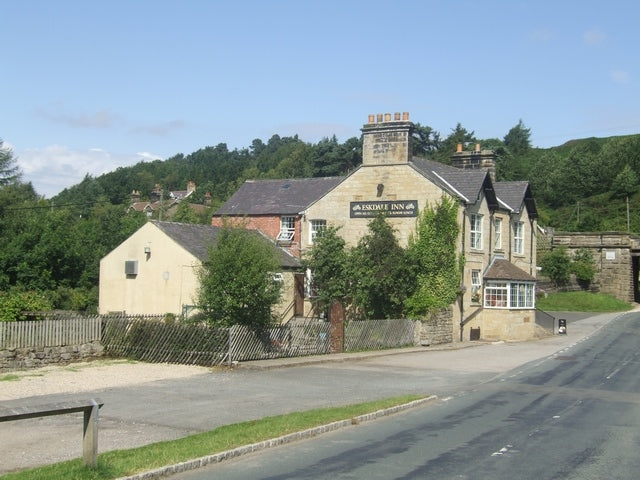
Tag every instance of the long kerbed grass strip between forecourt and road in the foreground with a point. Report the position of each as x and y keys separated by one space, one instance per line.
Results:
x=120 y=463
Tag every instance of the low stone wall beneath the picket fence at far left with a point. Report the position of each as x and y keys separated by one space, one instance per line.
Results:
x=36 y=357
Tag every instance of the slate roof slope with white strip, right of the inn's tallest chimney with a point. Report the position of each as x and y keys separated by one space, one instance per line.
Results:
x=465 y=184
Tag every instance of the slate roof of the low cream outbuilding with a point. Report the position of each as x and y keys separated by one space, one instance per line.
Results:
x=197 y=239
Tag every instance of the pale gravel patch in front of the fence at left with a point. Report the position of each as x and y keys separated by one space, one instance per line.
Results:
x=85 y=376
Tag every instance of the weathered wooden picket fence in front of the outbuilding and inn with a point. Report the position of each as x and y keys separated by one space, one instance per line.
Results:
x=160 y=339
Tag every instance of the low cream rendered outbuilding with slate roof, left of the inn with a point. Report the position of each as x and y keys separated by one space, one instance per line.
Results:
x=154 y=271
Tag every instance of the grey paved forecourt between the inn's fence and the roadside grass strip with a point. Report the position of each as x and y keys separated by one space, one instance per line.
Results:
x=166 y=409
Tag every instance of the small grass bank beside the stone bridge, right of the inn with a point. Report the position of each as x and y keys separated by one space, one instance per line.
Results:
x=581 y=302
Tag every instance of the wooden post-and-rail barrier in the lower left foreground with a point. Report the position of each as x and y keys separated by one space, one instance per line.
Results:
x=90 y=425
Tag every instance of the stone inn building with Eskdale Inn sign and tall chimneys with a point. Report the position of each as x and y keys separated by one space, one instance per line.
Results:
x=497 y=221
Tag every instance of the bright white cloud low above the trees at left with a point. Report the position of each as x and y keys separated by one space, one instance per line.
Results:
x=53 y=168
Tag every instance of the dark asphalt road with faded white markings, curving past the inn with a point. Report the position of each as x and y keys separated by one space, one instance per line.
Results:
x=572 y=415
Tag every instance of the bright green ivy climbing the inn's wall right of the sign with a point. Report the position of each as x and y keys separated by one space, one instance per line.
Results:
x=436 y=265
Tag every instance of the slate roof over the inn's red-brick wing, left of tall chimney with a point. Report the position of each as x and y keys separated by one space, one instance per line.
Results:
x=277 y=197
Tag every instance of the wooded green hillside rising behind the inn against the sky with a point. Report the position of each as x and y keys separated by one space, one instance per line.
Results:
x=580 y=185
